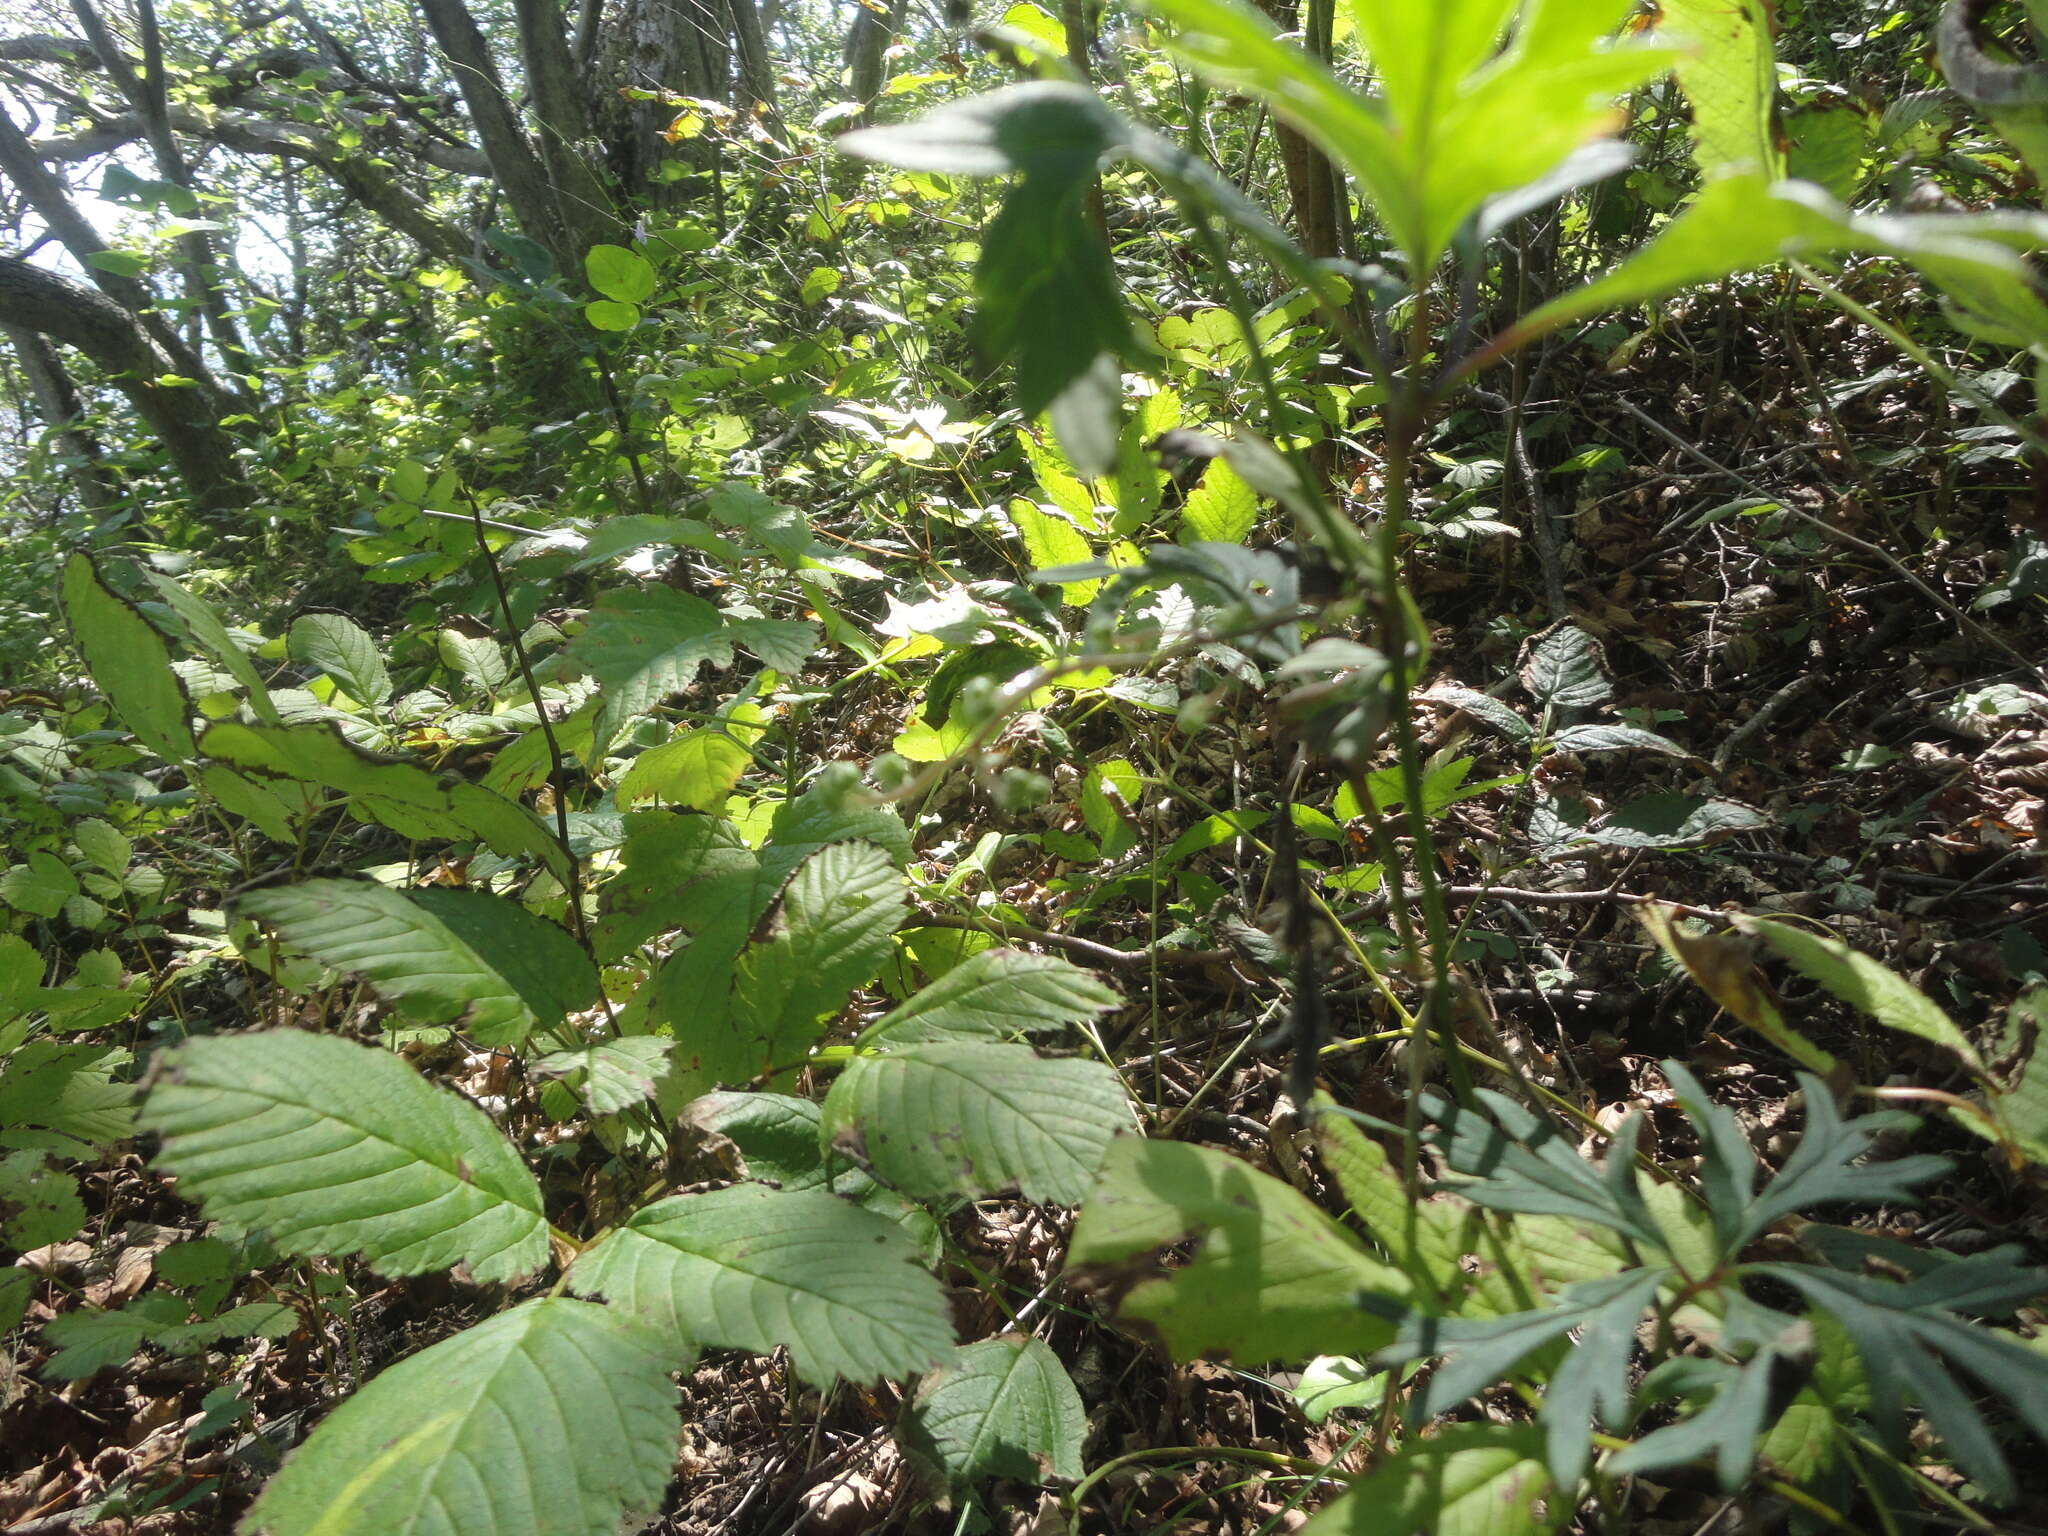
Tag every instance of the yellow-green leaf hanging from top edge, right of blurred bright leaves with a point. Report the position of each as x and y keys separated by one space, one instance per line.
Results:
x=1730 y=75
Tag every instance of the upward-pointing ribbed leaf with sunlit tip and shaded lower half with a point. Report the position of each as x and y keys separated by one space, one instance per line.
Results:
x=839 y=923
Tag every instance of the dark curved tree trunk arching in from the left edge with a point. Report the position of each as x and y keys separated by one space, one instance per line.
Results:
x=183 y=417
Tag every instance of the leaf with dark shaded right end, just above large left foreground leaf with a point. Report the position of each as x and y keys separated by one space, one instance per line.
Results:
x=476 y=962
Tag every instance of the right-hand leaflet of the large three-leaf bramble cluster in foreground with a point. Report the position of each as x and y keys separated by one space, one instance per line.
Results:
x=757 y=1269
